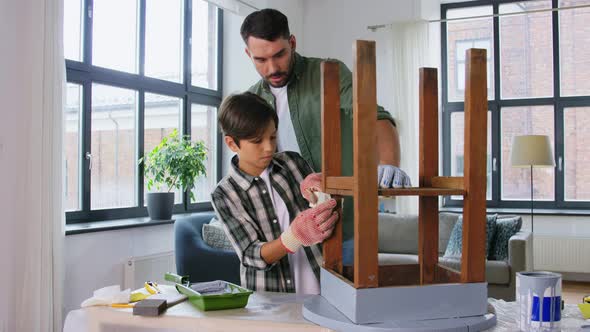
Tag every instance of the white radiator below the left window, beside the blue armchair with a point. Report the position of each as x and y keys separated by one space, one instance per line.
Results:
x=138 y=270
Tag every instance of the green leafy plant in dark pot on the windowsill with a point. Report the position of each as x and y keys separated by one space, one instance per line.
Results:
x=176 y=163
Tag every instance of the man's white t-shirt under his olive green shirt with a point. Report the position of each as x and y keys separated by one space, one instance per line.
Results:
x=286 y=139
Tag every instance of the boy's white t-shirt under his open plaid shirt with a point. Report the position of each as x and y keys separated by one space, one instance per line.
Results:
x=305 y=280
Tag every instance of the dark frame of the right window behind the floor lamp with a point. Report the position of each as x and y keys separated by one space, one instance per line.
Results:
x=558 y=102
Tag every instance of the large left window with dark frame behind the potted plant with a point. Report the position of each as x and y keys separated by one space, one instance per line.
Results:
x=136 y=70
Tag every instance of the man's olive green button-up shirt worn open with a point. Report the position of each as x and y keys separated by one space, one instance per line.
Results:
x=303 y=92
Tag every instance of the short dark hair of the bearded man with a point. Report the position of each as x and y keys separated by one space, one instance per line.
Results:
x=268 y=24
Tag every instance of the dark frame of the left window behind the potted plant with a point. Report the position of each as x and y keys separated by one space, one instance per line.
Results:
x=85 y=74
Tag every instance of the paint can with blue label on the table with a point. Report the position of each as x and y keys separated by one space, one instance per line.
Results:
x=539 y=300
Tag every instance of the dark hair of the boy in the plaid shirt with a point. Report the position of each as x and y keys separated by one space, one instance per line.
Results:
x=245 y=116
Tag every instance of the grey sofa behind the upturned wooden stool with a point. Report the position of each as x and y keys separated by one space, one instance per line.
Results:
x=398 y=244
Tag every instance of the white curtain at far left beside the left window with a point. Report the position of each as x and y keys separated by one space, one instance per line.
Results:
x=31 y=93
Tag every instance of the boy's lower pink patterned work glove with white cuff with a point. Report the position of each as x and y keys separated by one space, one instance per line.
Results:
x=310 y=226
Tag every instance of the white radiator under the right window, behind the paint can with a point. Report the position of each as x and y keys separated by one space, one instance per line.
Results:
x=561 y=253
